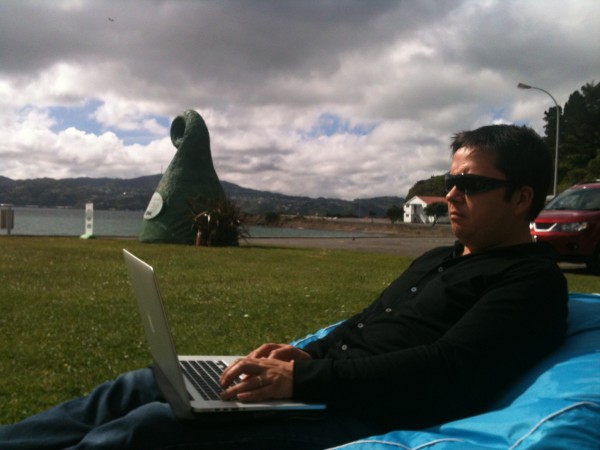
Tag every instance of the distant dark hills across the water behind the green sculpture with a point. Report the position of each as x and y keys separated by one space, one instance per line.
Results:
x=134 y=194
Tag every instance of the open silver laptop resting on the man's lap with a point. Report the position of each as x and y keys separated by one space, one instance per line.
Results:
x=189 y=383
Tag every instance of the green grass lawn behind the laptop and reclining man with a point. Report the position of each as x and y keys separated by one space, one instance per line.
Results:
x=68 y=319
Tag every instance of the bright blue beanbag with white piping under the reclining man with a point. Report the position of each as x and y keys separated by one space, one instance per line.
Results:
x=555 y=405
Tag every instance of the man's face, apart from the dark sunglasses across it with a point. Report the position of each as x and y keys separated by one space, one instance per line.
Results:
x=482 y=220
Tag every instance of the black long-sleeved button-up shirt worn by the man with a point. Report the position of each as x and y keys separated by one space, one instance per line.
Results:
x=443 y=339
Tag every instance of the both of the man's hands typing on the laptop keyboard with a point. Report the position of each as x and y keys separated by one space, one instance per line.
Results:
x=266 y=373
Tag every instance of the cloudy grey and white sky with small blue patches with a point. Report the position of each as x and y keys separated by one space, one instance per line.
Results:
x=344 y=99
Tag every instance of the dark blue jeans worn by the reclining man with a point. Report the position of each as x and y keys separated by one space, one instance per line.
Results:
x=130 y=412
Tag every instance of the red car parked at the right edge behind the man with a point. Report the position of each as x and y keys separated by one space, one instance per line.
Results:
x=570 y=223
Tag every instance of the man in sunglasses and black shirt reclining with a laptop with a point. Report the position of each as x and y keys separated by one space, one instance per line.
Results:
x=440 y=343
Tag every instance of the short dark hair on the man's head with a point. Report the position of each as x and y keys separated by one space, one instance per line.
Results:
x=519 y=153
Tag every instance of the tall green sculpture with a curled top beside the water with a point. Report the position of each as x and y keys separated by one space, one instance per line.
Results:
x=189 y=181
